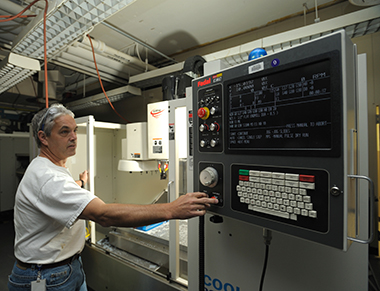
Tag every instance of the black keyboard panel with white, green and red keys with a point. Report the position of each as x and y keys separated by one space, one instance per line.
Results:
x=291 y=195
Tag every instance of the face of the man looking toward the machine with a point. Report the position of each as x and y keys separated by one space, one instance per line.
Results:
x=62 y=142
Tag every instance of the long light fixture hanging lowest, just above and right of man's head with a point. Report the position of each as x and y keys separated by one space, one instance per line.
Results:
x=100 y=99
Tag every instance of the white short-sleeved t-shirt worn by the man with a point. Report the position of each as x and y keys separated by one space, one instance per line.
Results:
x=48 y=203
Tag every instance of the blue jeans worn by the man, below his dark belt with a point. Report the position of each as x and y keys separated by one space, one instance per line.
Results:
x=63 y=278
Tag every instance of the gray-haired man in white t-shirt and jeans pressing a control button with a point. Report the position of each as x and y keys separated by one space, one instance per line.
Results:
x=51 y=207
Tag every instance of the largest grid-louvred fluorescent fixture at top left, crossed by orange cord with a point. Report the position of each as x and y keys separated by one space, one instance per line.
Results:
x=66 y=21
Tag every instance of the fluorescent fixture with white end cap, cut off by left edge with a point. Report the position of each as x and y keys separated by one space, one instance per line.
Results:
x=14 y=69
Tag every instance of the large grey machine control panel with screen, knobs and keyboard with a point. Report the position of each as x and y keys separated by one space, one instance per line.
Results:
x=273 y=140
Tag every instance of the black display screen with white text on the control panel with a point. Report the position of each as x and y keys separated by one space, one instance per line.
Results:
x=289 y=109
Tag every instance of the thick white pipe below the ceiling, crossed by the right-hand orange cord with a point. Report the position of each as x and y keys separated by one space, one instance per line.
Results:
x=102 y=49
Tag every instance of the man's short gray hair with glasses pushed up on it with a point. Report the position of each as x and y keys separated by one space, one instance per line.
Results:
x=44 y=120
